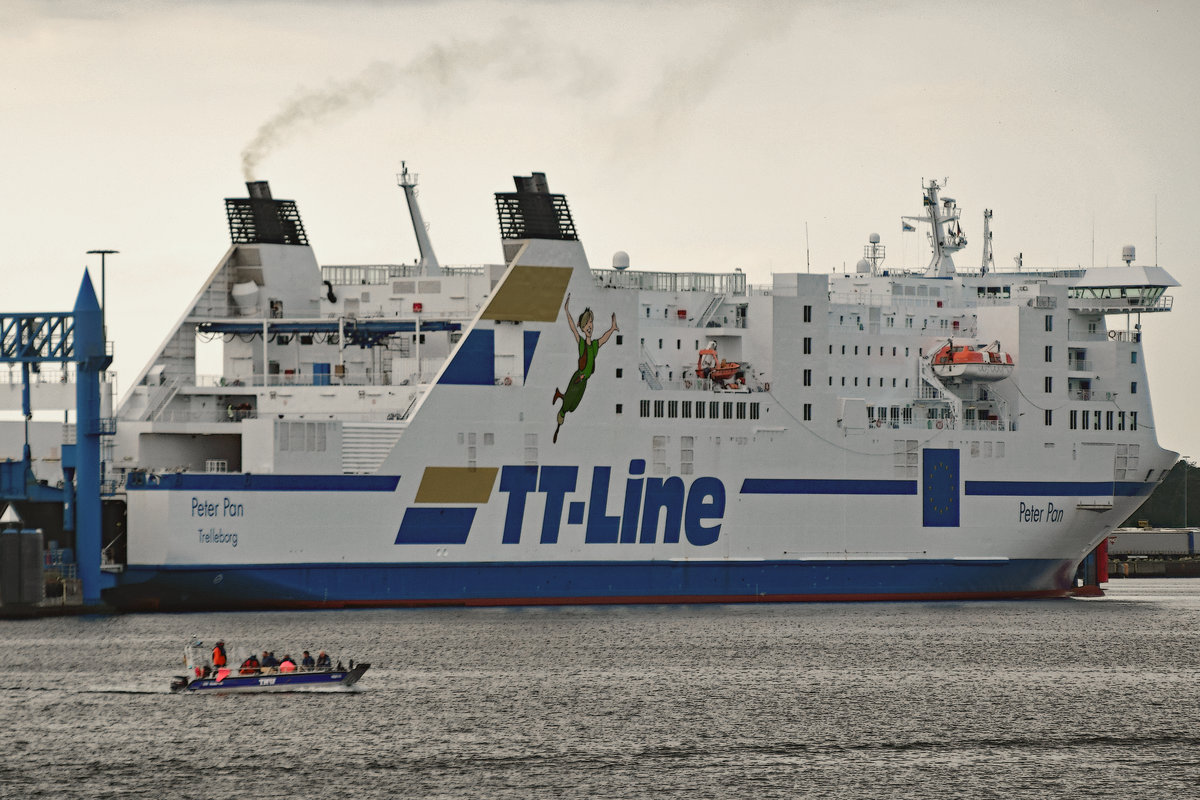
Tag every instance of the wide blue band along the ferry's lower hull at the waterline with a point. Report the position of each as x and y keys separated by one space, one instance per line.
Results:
x=565 y=582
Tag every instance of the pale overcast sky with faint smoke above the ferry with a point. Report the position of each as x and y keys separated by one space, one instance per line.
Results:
x=695 y=136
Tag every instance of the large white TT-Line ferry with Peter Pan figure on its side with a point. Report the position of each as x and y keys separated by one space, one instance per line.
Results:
x=542 y=432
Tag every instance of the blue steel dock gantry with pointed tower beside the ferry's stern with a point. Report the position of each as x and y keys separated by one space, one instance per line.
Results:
x=75 y=338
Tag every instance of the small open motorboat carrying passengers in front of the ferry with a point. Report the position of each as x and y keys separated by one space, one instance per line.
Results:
x=202 y=677
